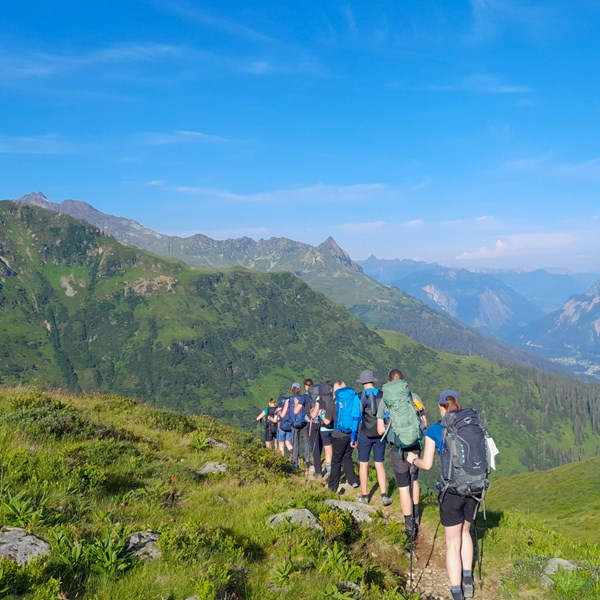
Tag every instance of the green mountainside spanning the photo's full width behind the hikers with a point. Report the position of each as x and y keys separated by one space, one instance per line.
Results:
x=79 y=310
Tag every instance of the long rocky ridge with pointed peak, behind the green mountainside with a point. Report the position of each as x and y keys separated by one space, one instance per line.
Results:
x=326 y=267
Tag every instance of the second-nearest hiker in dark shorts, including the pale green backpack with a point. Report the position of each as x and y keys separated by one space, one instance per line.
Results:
x=399 y=423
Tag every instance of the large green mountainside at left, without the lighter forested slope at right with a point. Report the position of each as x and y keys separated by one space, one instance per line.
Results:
x=79 y=309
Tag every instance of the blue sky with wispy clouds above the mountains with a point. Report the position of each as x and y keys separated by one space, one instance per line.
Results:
x=461 y=132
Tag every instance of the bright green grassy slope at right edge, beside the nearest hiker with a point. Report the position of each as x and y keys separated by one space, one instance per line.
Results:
x=566 y=499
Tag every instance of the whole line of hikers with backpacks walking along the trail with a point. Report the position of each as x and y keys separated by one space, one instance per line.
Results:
x=331 y=419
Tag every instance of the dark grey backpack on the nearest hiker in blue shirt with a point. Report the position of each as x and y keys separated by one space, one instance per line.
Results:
x=465 y=460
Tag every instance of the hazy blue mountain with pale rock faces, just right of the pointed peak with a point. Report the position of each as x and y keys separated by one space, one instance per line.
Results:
x=477 y=299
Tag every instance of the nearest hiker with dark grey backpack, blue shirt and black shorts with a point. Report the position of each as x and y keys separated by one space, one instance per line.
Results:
x=461 y=442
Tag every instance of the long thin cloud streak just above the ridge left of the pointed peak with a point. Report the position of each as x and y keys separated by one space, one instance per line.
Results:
x=319 y=193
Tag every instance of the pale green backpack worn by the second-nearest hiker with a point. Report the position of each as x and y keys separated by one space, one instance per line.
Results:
x=405 y=425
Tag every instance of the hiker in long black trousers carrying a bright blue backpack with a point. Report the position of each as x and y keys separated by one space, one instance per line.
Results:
x=344 y=416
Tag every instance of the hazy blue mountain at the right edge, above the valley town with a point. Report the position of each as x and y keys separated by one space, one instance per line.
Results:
x=571 y=333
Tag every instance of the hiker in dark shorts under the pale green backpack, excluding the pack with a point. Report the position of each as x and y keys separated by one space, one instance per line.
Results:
x=407 y=478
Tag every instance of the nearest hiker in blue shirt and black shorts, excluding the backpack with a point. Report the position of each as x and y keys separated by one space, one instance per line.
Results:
x=457 y=513
